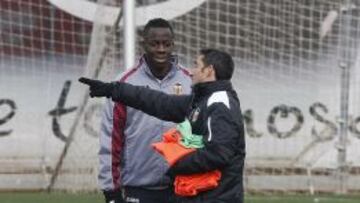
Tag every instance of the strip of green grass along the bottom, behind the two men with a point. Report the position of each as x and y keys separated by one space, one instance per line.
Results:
x=97 y=198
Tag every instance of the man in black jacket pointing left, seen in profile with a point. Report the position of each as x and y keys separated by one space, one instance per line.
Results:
x=213 y=110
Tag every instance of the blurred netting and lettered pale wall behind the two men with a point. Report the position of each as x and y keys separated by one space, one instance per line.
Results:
x=297 y=75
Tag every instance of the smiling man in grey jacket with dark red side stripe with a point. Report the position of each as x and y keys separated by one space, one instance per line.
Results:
x=130 y=171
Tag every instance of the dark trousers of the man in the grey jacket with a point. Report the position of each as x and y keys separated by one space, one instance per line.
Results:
x=141 y=195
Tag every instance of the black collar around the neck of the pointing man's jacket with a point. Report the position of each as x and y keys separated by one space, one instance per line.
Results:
x=207 y=88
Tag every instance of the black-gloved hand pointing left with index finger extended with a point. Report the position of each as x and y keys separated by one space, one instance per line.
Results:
x=98 y=88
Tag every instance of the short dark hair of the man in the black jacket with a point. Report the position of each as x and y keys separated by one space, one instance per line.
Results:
x=221 y=61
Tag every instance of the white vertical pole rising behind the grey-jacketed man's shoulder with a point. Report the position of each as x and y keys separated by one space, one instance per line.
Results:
x=129 y=33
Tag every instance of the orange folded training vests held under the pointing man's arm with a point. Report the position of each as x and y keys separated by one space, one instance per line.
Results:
x=185 y=185
